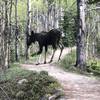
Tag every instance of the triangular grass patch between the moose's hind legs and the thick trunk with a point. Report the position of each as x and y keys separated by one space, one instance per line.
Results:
x=68 y=62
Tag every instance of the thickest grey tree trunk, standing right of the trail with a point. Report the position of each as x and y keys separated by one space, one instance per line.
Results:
x=81 y=59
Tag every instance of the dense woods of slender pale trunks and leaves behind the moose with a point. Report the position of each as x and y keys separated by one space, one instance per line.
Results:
x=78 y=20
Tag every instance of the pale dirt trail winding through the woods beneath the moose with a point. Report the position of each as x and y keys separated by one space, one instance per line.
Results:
x=75 y=86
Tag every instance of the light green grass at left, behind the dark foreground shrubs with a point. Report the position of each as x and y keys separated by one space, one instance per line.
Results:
x=13 y=72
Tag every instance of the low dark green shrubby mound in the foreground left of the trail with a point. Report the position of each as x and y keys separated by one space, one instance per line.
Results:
x=36 y=87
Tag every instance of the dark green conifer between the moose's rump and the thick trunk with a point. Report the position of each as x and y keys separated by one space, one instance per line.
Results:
x=69 y=27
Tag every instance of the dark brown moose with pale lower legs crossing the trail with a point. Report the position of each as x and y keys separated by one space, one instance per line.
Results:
x=45 y=39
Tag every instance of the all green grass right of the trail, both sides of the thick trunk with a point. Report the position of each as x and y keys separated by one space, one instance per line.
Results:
x=68 y=62
